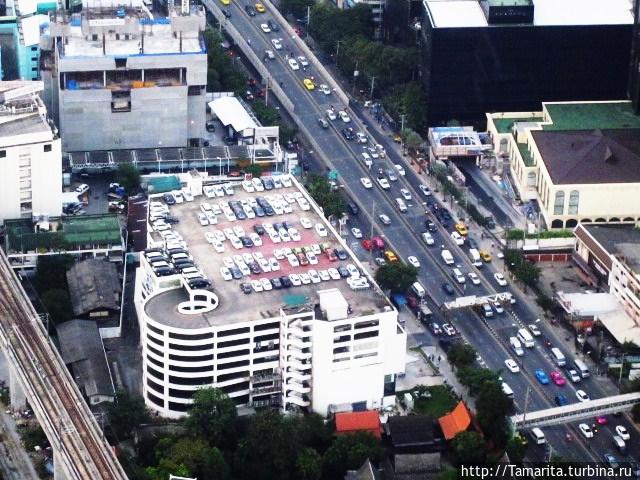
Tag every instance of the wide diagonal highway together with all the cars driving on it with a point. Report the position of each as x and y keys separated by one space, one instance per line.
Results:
x=535 y=359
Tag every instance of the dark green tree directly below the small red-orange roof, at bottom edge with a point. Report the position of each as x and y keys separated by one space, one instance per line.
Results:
x=349 y=452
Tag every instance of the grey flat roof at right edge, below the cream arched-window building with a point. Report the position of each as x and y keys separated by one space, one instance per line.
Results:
x=622 y=241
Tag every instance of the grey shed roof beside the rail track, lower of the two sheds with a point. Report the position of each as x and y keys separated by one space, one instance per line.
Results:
x=81 y=349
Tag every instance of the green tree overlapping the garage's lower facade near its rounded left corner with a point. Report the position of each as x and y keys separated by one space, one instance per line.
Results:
x=212 y=416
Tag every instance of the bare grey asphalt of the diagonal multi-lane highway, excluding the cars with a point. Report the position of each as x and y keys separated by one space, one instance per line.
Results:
x=489 y=337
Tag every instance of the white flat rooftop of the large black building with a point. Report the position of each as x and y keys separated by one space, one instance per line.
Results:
x=468 y=13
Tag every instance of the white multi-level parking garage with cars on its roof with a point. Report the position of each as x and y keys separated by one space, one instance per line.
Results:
x=302 y=325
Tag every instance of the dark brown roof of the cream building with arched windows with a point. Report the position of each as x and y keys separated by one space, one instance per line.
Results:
x=590 y=157
